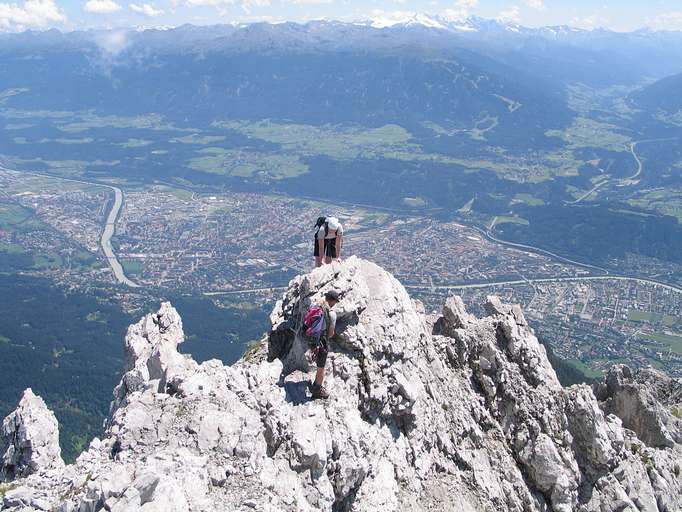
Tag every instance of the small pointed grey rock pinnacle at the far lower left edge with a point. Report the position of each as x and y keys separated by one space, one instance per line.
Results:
x=29 y=439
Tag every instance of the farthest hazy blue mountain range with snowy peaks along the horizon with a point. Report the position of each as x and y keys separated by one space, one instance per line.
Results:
x=628 y=56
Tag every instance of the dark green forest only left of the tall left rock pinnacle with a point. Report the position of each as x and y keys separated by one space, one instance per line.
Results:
x=66 y=347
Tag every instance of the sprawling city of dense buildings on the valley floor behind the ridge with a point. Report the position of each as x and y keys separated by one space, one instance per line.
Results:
x=245 y=247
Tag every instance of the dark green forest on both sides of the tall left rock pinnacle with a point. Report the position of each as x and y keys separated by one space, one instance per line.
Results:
x=69 y=348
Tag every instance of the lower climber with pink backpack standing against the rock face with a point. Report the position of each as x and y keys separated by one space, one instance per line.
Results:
x=319 y=327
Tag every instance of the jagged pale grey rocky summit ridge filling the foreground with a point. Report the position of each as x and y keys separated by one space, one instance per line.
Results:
x=427 y=412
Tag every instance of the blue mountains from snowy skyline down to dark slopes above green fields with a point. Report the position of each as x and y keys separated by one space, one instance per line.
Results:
x=421 y=69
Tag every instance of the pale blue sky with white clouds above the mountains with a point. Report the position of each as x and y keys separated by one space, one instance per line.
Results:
x=620 y=15
